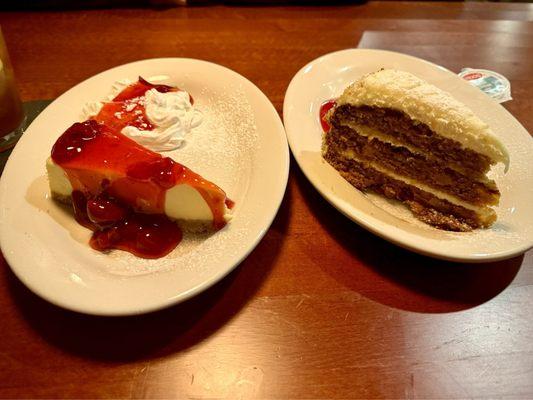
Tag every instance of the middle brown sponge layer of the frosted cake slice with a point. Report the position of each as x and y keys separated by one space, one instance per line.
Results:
x=350 y=144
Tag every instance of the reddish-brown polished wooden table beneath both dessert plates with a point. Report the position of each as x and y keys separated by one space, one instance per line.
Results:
x=321 y=308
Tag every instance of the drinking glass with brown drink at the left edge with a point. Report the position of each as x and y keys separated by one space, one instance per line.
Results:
x=11 y=112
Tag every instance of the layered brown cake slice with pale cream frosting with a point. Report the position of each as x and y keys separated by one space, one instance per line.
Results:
x=397 y=135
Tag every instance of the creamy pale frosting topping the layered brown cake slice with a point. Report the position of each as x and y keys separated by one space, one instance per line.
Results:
x=424 y=103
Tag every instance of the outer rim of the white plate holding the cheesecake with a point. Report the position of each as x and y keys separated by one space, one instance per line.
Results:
x=205 y=284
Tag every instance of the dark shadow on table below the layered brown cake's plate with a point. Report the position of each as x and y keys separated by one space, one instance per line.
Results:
x=398 y=278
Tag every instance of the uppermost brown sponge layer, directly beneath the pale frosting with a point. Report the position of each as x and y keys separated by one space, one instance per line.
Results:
x=402 y=129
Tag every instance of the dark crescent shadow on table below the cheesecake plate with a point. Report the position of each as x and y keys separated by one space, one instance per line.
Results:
x=159 y=333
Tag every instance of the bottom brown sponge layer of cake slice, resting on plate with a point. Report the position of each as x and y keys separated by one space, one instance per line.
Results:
x=426 y=205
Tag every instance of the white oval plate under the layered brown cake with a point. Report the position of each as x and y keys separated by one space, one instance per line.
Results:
x=326 y=77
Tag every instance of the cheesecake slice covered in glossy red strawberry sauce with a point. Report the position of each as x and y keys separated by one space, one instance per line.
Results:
x=132 y=198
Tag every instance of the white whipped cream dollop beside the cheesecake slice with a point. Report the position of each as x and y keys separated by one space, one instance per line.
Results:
x=172 y=115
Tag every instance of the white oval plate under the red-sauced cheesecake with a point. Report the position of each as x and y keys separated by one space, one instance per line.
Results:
x=241 y=146
